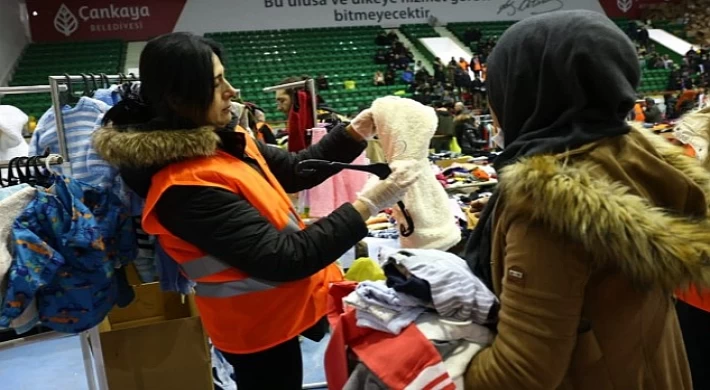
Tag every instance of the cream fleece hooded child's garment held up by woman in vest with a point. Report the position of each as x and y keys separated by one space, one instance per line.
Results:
x=405 y=128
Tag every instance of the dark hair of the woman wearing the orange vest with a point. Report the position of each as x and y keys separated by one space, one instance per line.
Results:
x=177 y=83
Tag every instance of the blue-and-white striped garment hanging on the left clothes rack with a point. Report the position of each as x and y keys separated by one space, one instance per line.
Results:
x=86 y=165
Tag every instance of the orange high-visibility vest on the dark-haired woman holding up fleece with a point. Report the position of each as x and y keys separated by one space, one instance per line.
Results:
x=241 y=314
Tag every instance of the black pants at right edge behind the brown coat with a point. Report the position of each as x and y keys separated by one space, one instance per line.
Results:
x=694 y=323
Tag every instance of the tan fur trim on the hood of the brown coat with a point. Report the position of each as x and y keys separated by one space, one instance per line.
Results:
x=650 y=245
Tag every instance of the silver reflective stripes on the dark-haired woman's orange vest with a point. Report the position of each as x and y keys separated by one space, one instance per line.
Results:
x=209 y=265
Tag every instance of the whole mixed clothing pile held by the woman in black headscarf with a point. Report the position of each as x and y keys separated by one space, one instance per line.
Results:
x=416 y=321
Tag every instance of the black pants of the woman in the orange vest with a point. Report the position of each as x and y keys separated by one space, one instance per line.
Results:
x=280 y=367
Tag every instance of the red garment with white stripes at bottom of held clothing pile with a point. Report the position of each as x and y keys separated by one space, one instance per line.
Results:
x=405 y=361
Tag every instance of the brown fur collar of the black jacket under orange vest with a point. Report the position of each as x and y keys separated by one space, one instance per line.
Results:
x=136 y=148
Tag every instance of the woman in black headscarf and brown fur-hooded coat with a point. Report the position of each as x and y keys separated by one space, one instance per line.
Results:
x=593 y=224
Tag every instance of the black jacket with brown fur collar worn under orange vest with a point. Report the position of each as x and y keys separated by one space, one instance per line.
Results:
x=224 y=224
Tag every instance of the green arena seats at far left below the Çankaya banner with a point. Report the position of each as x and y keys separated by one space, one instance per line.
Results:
x=41 y=60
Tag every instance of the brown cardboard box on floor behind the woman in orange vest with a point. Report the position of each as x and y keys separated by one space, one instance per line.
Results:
x=156 y=344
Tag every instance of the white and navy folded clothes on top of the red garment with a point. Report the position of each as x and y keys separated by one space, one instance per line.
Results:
x=419 y=280
